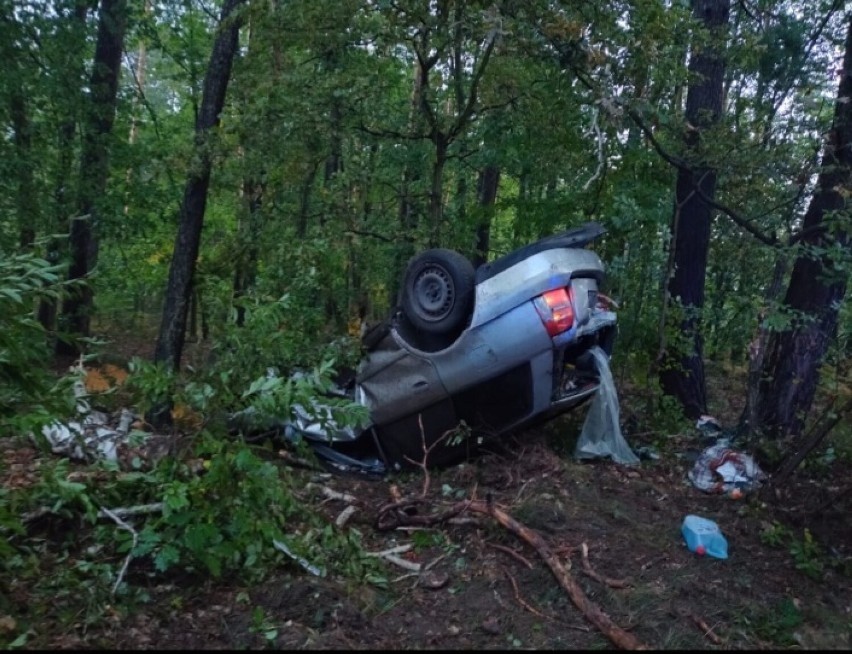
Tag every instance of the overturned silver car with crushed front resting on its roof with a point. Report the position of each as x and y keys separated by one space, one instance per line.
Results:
x=490 y=349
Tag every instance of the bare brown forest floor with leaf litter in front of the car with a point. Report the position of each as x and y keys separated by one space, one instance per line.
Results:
x=614 y=529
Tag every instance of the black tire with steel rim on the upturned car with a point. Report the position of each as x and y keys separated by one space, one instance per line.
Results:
x=437 y=293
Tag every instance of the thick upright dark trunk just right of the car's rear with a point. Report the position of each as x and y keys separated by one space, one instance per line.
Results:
x=682 y=372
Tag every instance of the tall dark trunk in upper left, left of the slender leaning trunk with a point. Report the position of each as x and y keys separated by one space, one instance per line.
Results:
x=94 y=167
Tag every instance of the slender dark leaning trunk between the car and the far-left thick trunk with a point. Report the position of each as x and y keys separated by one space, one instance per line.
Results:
x=172 y=334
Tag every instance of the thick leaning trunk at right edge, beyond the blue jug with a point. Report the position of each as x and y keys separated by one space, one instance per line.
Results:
x=787 y=385
